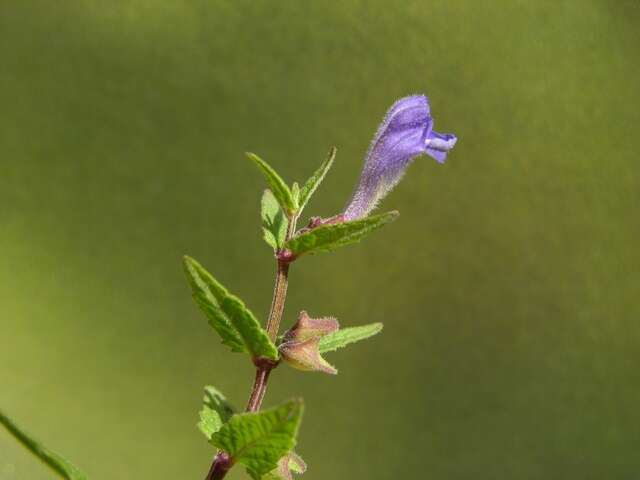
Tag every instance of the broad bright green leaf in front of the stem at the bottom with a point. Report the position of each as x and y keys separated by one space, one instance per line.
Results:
x=260 y=440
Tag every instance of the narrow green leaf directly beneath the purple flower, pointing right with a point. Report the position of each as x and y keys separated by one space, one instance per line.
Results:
x=332 y=236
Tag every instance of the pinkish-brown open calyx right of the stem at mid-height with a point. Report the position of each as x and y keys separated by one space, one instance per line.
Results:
x=300 y=345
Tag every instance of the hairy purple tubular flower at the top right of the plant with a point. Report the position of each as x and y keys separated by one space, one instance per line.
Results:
x=405 y=133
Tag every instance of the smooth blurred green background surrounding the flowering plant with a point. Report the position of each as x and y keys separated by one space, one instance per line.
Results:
x=509 y=286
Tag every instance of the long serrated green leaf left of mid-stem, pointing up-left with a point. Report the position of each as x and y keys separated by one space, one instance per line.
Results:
x=227 y=314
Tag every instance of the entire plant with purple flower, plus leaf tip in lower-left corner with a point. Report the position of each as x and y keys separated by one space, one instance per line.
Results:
x=264 y=440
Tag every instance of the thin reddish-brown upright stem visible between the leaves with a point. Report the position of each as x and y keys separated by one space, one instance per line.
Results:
x=222 y=462
